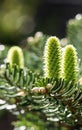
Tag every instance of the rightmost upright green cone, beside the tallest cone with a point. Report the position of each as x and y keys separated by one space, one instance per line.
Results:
x=70 y=63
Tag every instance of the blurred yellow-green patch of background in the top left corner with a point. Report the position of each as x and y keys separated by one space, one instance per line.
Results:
x=16 y=20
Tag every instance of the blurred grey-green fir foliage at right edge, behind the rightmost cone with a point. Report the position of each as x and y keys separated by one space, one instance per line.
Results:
x=74 y=33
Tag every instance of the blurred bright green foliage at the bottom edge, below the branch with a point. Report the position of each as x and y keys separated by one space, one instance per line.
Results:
x=26 y=121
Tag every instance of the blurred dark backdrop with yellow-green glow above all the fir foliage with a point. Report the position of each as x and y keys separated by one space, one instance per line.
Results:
x=22 y=18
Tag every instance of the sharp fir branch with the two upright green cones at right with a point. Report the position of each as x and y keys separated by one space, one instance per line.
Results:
x=53 y=99
